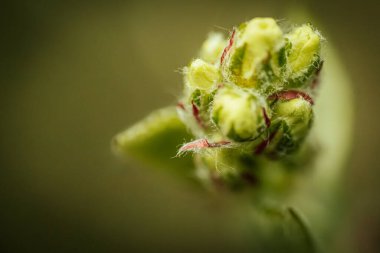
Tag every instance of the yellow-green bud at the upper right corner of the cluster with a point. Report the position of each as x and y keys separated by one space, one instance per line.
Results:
x=304 y=50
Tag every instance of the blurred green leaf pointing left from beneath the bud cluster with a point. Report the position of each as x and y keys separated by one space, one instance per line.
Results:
x=155 y=140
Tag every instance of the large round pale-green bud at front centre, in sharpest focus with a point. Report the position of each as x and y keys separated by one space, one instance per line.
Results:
x=237 y=113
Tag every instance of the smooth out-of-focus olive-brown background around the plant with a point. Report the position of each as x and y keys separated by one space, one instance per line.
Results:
x=74 y=73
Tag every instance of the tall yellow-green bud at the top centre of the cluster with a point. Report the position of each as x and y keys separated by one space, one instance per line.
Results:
x=255 y=43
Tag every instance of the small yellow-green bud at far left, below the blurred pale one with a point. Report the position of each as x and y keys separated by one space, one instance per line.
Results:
x=201 y=75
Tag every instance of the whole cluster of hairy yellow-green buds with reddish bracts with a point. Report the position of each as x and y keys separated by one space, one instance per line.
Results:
x=252 y=90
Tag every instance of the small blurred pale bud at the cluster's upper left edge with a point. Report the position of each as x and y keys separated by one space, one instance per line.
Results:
x=212 y=48
